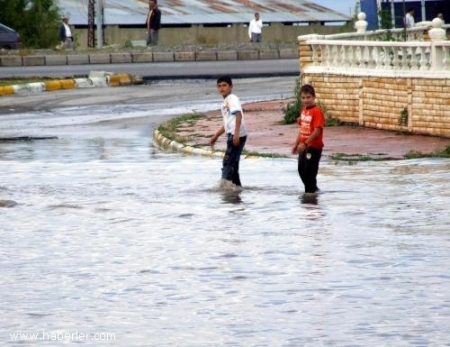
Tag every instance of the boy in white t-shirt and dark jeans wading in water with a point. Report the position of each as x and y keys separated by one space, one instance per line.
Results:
x=234 y=127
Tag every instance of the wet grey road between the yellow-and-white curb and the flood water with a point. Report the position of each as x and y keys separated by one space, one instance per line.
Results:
x=156 y=95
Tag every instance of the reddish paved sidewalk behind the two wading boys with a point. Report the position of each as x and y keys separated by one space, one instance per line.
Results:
x=268 y=135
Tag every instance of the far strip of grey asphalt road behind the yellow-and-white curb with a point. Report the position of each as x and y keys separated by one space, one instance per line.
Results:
x=171 y=70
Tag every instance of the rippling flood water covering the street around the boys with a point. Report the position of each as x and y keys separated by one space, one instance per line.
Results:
x=115 y=243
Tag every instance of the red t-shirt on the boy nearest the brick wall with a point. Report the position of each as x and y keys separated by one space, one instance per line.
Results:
x=310 y=119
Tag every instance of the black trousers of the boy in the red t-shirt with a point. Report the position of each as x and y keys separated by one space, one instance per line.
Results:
x=308 y=167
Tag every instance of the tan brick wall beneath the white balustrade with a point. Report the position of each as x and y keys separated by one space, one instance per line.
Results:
x=380 y=102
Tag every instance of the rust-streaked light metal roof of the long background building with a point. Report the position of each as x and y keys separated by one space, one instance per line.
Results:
x=178 y=12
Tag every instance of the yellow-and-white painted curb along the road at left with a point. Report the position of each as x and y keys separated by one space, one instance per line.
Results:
x=95 y=79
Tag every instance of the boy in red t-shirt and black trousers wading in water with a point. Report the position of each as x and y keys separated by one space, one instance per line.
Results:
x=309 y=142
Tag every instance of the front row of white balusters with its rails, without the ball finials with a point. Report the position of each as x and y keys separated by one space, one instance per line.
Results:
x=379 y=55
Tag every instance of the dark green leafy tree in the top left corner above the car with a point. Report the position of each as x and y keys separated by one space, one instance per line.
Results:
x=36 y=21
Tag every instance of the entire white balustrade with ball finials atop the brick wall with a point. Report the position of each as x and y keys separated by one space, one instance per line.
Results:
x=372 y=52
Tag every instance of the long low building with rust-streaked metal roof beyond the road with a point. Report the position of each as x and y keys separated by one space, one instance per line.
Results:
x=199 y=21
